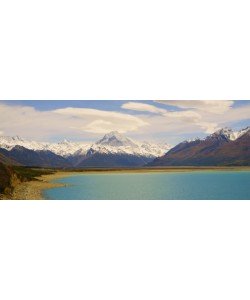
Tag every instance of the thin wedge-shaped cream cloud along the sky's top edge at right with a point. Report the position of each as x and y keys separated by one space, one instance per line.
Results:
x=210 y=106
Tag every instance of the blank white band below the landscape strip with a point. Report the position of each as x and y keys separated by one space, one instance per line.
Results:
x=124 y=250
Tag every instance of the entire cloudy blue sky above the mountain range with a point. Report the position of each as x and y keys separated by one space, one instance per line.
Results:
x=160 y=120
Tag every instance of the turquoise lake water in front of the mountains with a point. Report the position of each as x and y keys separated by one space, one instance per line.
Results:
x=209 y=185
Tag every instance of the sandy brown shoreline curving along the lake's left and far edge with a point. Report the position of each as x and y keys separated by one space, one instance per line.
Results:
x=33 y=190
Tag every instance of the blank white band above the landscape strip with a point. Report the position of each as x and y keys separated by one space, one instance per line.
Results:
x=133 y=49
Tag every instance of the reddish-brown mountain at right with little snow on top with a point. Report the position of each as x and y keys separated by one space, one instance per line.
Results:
x=224 y=147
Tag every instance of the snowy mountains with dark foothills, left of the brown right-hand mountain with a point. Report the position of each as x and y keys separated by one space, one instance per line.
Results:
x=113 y=150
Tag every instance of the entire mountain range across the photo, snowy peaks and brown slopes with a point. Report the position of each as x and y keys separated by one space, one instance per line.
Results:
x=224 y=147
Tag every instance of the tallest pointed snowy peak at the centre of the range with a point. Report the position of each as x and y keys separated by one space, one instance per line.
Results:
x=115 y=139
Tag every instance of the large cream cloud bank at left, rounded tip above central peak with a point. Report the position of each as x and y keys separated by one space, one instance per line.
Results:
x=71 y=123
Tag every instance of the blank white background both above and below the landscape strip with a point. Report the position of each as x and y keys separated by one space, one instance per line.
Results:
x=124 y=249
